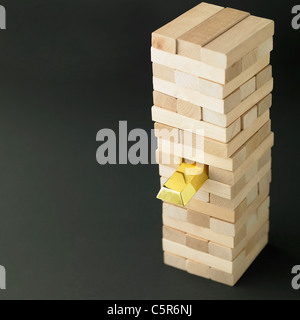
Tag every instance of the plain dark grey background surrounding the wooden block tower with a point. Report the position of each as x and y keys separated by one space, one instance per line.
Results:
x=72 y=229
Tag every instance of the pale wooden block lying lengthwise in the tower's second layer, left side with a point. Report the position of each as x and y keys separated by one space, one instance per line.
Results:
x=188 y=65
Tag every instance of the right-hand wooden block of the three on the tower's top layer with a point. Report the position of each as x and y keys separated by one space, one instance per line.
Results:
x=237 y=42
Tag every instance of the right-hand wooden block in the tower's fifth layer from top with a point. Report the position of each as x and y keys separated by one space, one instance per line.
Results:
x=225 y=120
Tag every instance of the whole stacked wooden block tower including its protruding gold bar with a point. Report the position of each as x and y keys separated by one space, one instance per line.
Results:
x=212 y=79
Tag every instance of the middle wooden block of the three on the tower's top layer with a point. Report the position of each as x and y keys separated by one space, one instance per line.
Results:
x=192 y=41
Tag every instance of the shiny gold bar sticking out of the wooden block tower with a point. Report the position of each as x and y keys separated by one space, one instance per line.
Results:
x=183 y=184
